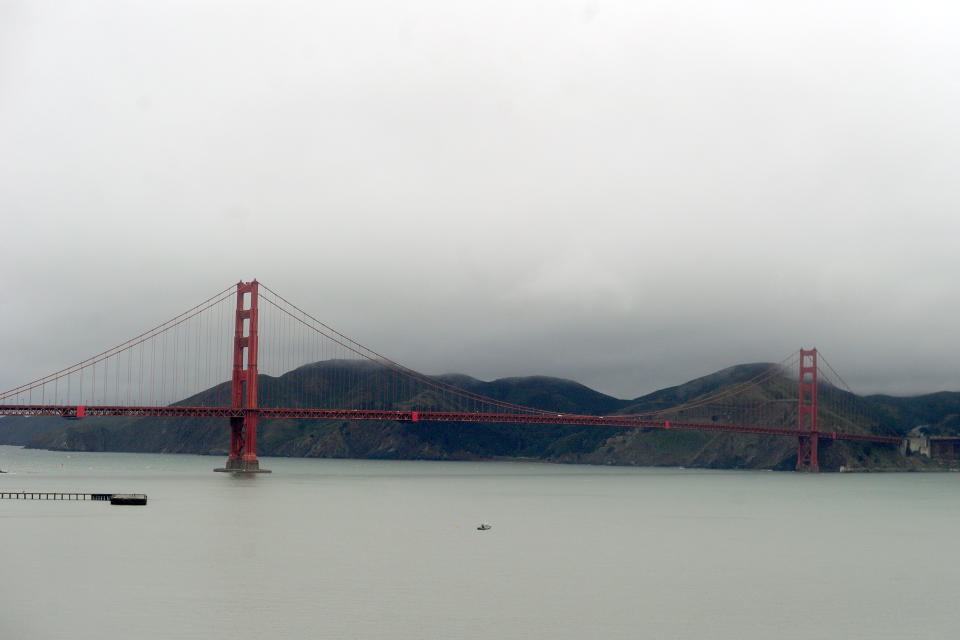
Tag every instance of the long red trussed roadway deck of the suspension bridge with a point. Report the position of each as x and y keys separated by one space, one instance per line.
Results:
x=626 y=422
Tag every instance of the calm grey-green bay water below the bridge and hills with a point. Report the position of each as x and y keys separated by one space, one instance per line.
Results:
x=369 y=549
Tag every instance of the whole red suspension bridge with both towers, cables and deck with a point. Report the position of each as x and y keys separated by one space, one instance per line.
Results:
x=177 y=370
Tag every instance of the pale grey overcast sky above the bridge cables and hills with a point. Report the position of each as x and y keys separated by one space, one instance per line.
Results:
x=629 y=194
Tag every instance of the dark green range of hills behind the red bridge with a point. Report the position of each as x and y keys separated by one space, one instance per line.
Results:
x=773 y=403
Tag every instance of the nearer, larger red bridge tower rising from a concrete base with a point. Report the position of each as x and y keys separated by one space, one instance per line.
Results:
x=243 y=429
